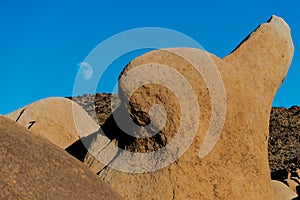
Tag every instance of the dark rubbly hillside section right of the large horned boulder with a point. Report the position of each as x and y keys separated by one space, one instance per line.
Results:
x=284 y=142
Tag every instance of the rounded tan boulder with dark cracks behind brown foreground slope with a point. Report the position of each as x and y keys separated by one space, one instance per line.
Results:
x=53 y=118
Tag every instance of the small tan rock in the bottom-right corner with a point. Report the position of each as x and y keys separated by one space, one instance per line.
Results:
x=282 y=192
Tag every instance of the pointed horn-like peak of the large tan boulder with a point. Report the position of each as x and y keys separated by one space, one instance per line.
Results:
x=267 y=48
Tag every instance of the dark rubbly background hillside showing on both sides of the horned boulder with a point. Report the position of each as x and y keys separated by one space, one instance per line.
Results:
x=284 y=130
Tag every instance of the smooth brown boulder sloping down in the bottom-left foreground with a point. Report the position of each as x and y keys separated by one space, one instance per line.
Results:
x=33 y=168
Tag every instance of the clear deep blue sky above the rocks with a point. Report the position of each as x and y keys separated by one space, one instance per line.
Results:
x=42 y=42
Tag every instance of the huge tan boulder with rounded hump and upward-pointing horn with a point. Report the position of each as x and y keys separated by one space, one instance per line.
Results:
x=237 y=167
